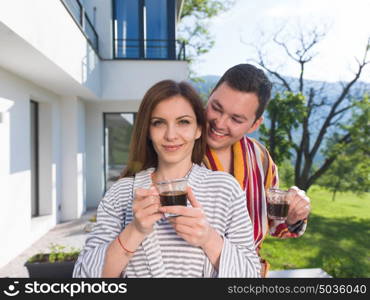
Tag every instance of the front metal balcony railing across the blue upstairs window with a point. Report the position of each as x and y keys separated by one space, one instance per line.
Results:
x=149 y=49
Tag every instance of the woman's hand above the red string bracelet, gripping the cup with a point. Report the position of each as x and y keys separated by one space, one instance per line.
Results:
x=145 y=209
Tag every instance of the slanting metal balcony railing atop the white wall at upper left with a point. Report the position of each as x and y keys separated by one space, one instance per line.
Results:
x=76 y=9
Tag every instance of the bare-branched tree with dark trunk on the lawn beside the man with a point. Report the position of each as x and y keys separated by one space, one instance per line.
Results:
x=320 y=119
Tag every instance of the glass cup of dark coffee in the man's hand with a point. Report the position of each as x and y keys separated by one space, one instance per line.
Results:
x=277 y=204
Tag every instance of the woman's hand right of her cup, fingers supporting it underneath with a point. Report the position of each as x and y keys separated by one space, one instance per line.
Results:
x=191 y=224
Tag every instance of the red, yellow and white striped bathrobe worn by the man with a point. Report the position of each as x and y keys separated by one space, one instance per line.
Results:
x=256 y=172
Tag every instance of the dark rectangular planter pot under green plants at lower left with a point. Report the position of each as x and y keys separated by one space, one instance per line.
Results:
x=63 y=269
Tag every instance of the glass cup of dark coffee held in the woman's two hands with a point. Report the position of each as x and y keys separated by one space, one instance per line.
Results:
x=173 y=192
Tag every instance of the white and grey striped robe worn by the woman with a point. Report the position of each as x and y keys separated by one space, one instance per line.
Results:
x=163 y=253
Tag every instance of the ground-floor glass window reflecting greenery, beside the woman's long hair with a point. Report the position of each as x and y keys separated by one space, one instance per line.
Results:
x=117 y=135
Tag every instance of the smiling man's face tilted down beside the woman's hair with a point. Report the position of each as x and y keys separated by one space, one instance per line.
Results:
x=230 y=115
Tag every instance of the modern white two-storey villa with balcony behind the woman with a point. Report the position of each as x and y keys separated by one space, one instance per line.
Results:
x=72 y=75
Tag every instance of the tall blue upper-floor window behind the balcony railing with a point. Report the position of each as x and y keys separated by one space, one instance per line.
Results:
x=144 y=29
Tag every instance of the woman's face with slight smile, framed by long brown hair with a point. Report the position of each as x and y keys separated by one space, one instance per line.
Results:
x=173 y=131
